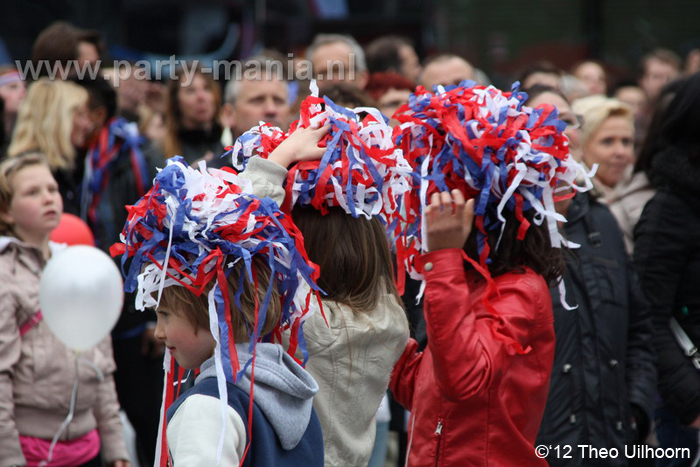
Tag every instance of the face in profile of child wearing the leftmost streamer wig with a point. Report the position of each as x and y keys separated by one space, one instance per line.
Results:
x=188 y=345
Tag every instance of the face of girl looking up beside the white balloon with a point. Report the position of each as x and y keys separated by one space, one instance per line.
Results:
x=36 y=205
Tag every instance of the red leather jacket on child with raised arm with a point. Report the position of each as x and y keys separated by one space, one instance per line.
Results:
x=474 y=400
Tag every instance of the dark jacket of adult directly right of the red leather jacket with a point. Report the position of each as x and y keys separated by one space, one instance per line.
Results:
x=603 y=370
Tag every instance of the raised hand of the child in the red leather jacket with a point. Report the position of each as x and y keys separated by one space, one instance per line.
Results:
x=448 y=220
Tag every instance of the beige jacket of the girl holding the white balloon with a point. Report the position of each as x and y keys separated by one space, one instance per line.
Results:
x=37 y=371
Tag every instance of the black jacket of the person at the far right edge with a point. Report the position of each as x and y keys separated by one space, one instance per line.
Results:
x=667 y=254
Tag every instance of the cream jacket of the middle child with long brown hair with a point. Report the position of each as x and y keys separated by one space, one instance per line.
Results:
x=351 y=357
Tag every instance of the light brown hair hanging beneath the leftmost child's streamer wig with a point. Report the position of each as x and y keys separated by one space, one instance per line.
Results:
x=195 y=308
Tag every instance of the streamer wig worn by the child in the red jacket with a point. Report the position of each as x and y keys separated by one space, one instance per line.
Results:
x=494 y=149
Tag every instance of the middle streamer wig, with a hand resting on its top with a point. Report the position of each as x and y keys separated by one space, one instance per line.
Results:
x=361 y=171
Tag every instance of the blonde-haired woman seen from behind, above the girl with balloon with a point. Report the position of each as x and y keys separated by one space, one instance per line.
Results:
x=53 y=120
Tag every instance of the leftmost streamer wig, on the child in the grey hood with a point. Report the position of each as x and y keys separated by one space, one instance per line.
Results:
x=189 y=231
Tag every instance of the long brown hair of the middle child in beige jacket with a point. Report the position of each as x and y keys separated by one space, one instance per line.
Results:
x=353 y=254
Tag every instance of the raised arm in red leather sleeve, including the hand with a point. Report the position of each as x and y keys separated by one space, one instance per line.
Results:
x=467 y=354
